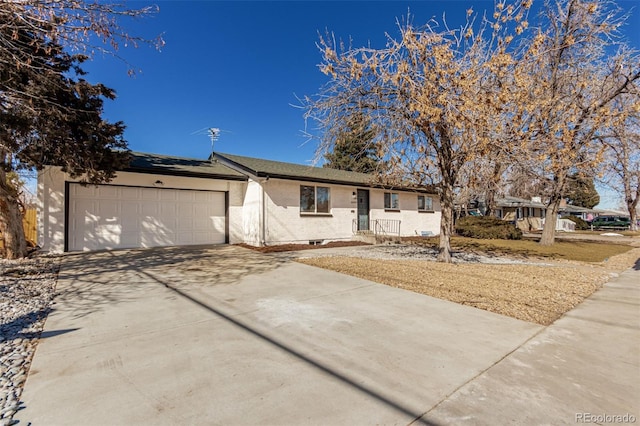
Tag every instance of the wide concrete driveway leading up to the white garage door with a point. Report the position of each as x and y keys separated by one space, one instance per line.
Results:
x=224 y=335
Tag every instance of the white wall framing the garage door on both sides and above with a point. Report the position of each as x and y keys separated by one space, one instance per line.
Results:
x=51 y=205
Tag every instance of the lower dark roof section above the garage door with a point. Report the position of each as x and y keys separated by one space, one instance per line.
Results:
x=179 y=166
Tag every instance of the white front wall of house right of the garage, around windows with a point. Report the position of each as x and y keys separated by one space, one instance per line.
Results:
x=285 y=224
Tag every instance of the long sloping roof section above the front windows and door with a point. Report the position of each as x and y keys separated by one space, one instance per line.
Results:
x=280 y=170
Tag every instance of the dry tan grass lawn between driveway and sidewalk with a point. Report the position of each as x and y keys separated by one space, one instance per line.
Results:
x=535 y=293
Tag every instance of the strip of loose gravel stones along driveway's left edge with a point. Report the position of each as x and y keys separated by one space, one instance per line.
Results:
x=27 y=288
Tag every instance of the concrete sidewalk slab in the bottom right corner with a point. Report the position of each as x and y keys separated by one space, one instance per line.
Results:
x=584 y=368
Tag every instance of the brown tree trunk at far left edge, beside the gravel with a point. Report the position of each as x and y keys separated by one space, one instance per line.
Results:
x=11 y=221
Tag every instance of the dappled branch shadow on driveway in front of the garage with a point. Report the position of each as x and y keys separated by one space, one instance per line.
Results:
x=94 y=280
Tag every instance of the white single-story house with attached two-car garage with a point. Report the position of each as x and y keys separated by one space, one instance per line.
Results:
x=163 y=201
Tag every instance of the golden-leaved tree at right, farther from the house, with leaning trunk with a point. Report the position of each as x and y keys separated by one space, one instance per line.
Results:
x=567 y=82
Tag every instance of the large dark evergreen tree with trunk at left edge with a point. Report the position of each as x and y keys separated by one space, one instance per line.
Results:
x=49 y=115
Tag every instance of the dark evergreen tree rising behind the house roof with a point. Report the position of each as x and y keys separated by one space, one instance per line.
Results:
x=354 y=150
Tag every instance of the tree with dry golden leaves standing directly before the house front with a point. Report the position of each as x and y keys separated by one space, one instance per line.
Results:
x=430 y=95
